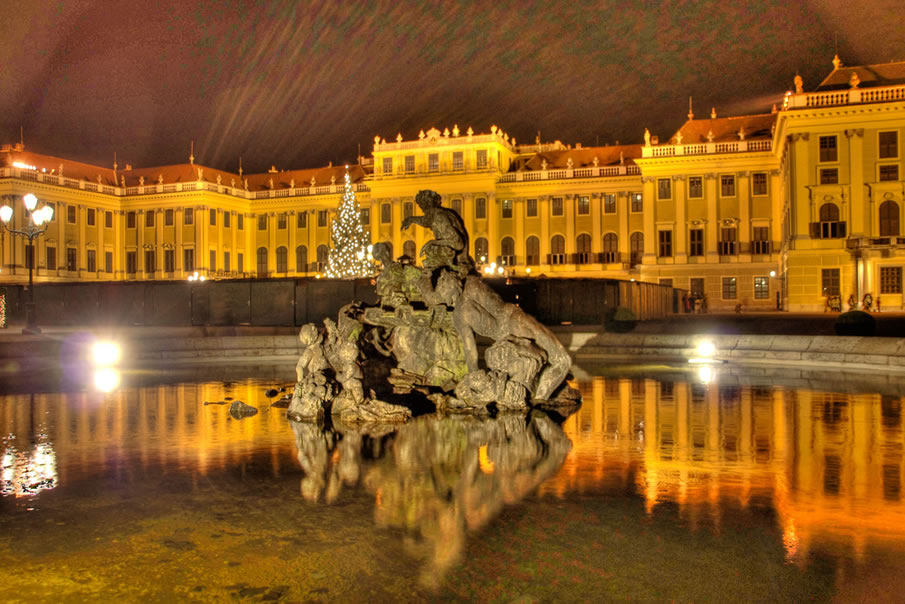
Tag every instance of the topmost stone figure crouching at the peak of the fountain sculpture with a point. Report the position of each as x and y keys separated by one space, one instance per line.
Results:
x=449 y=247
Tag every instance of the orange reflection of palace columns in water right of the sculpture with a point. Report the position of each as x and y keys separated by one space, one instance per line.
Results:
x=829 y=464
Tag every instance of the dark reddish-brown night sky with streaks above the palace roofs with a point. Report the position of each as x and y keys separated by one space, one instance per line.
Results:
x=300 y=84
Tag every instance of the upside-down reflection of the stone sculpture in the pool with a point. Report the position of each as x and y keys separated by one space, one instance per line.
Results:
x=436 y=478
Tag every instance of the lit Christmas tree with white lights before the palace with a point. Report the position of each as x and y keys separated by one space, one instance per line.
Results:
x=350 y=256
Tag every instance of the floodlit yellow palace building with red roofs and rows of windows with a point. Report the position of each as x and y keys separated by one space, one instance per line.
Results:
x=786 y=208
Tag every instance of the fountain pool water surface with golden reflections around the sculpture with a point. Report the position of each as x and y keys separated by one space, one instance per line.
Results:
x=665 y=485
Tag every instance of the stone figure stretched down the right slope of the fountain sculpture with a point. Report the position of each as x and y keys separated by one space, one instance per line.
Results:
x=477 y=309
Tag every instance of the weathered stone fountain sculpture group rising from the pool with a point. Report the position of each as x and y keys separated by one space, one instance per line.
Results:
x=416 y=350
